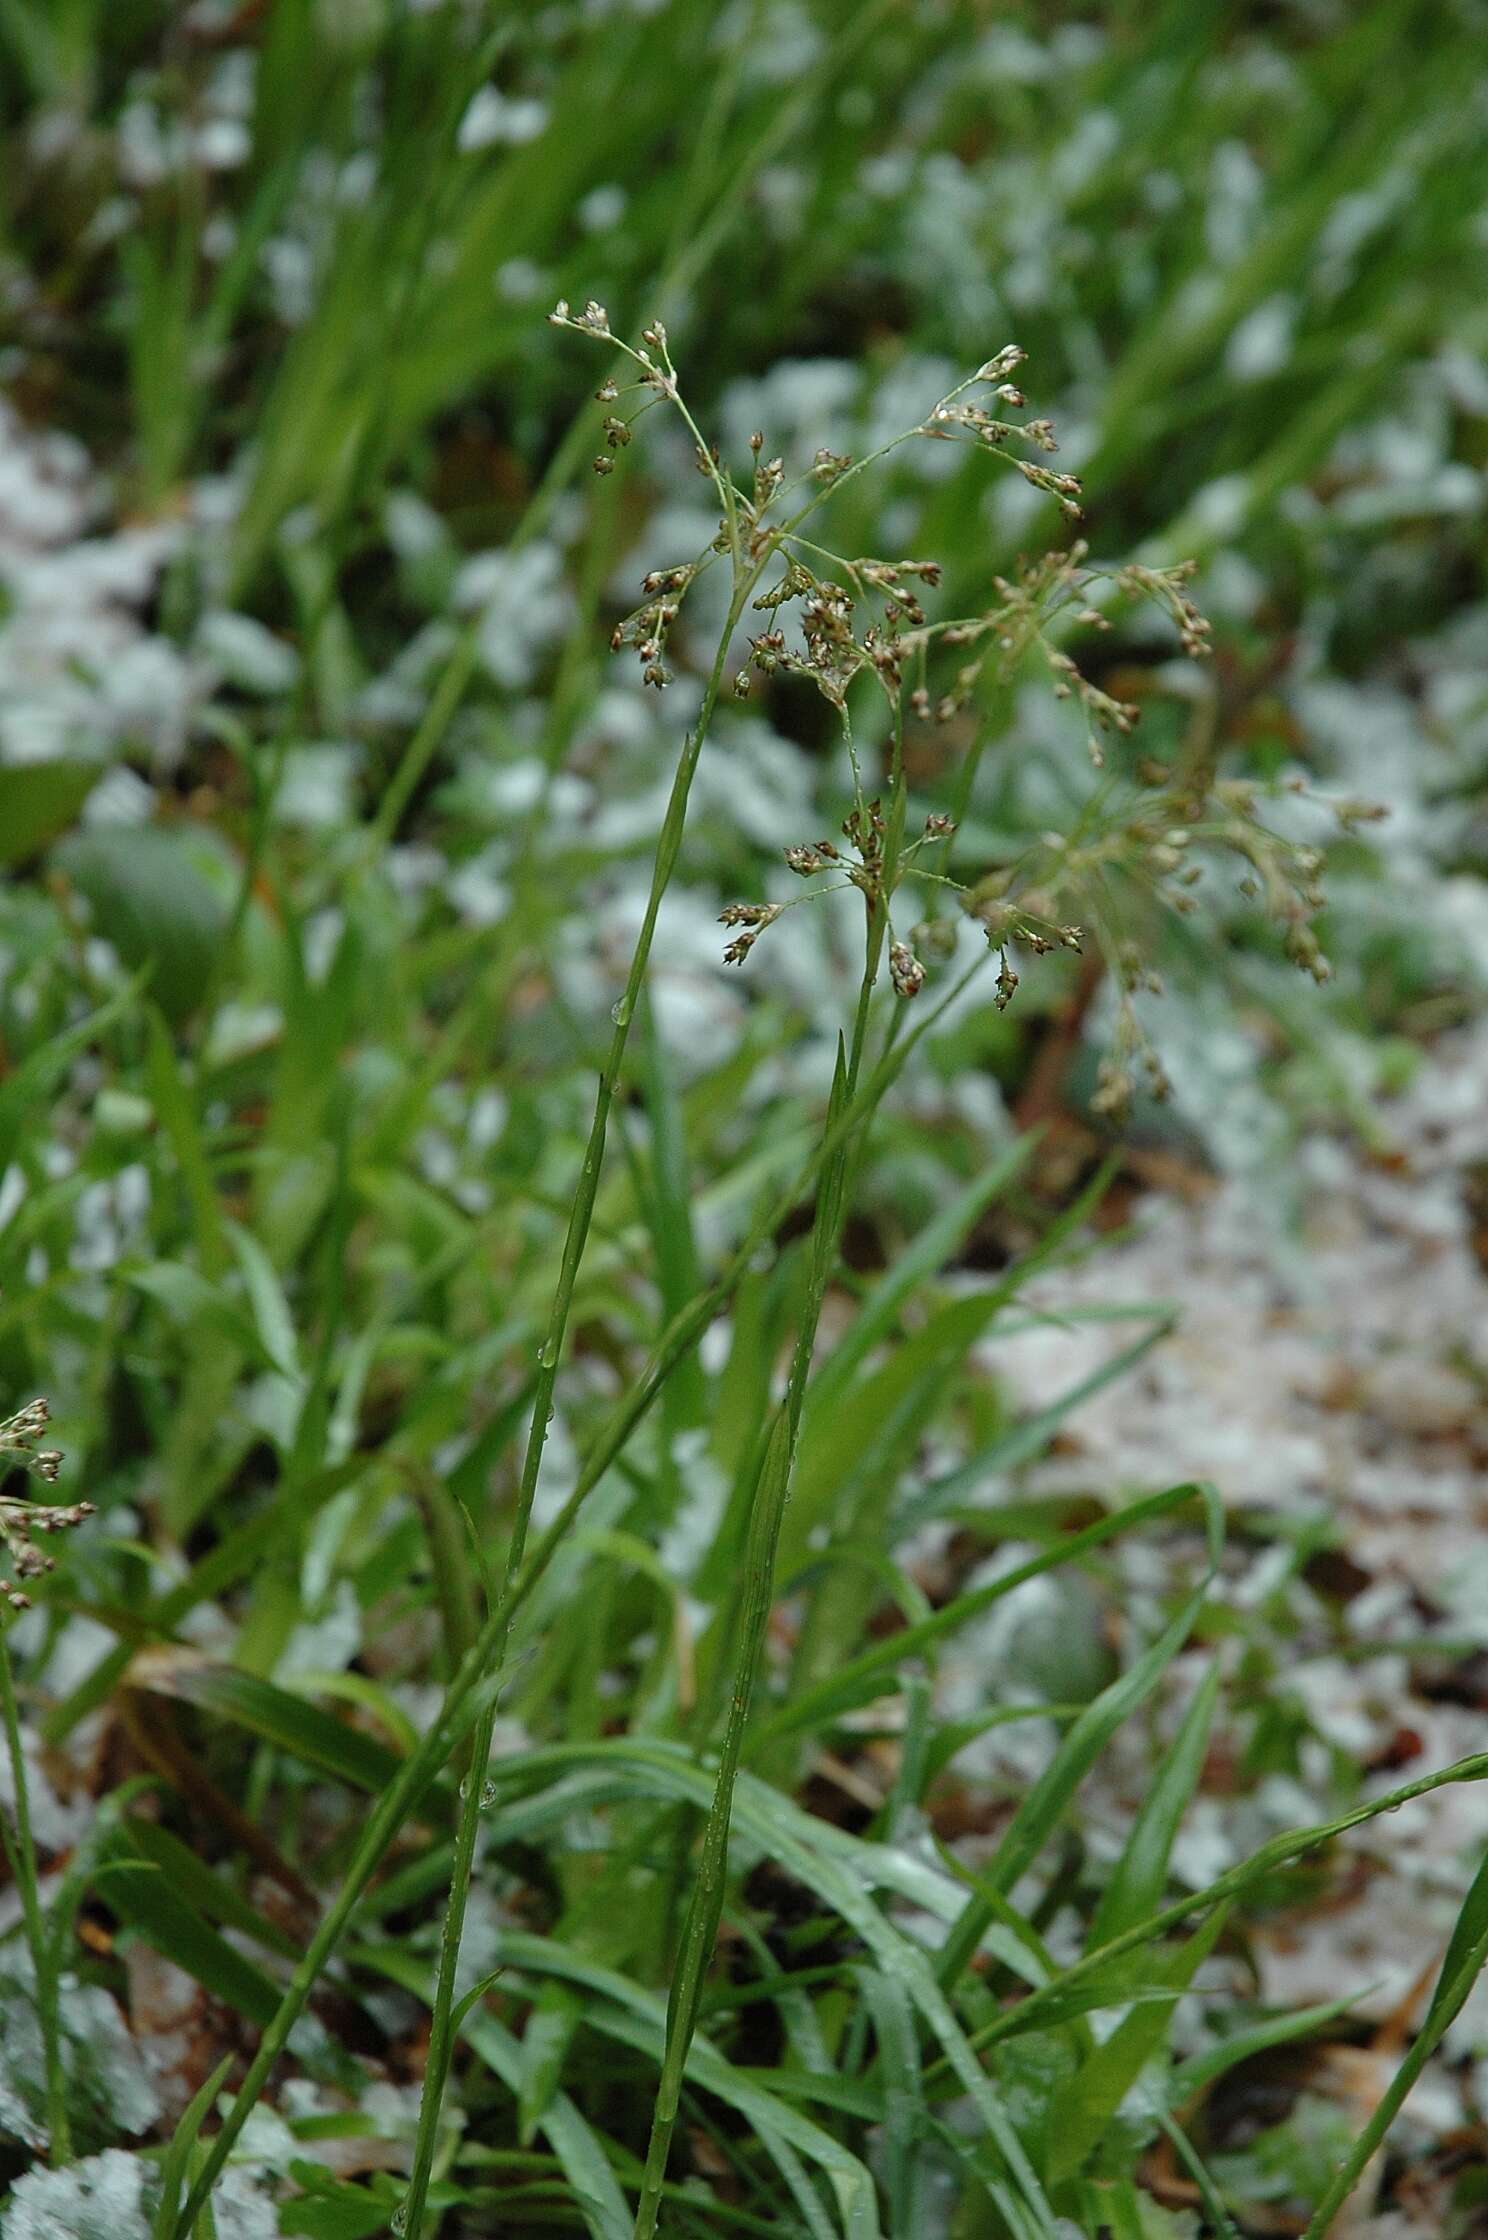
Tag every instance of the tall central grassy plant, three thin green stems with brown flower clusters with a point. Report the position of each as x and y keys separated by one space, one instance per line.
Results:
x=1144 y=837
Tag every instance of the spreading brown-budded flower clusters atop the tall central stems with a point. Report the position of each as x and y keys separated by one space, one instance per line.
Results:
x=1151 y=825
